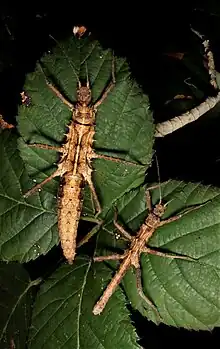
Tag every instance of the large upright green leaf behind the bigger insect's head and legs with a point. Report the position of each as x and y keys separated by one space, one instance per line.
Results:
x=124 y=123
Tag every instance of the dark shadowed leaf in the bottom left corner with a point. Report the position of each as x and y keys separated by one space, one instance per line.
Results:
x=16 y=302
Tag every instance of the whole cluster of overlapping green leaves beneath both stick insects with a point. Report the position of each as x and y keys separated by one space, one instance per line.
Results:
x=185 y=293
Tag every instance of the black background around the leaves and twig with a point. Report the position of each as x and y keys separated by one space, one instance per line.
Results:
x=146 y=36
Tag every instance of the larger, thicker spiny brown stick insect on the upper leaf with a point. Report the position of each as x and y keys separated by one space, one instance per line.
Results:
x=74 y=167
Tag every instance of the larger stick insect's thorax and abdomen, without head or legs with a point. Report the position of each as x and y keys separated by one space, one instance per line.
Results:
x=78 y=152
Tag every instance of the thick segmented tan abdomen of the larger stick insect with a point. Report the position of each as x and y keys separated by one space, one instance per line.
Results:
x=69 y=211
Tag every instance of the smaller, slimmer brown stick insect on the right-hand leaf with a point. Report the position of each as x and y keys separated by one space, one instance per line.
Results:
x=138 y=245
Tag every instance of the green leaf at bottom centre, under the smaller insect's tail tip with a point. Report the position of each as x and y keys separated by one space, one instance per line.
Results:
x=62 y=314
